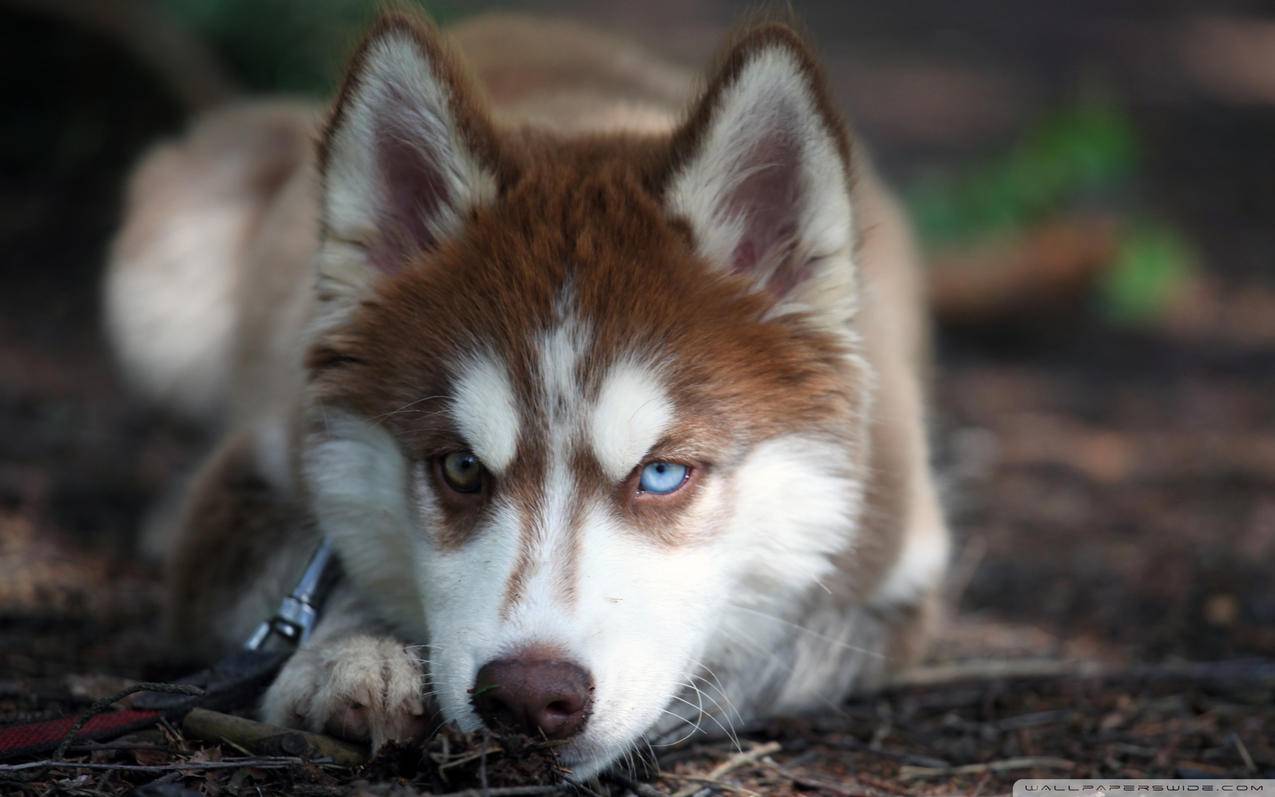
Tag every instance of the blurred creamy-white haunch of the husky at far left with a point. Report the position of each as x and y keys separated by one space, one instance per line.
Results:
x=175 y=285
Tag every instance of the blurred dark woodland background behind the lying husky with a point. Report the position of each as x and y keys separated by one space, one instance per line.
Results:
x=1095 y=186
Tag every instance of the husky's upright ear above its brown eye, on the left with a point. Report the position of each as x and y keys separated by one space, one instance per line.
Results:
x=407 y=154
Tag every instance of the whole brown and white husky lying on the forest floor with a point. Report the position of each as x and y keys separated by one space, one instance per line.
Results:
x=568 y=382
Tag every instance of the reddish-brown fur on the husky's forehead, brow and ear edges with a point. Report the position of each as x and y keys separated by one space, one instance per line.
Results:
x=577 y=212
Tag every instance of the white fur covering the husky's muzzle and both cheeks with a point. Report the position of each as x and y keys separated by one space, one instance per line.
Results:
x=646 y=618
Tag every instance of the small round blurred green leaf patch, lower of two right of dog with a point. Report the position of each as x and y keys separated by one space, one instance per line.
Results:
x=1152 y=266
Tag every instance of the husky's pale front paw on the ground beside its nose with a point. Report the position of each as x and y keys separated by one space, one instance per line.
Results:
x=359 y=688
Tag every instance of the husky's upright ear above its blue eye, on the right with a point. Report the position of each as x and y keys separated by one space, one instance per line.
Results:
x=762 y=173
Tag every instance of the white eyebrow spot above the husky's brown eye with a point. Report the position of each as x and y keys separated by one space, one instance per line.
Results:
x=485 y=411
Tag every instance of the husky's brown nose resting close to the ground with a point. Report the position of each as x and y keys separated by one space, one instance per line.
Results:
x=534 y=697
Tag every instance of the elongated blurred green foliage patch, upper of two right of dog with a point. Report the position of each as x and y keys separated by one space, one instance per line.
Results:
x=1083 y=151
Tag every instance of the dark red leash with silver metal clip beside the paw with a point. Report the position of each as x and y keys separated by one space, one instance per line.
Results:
x=233 y=682
